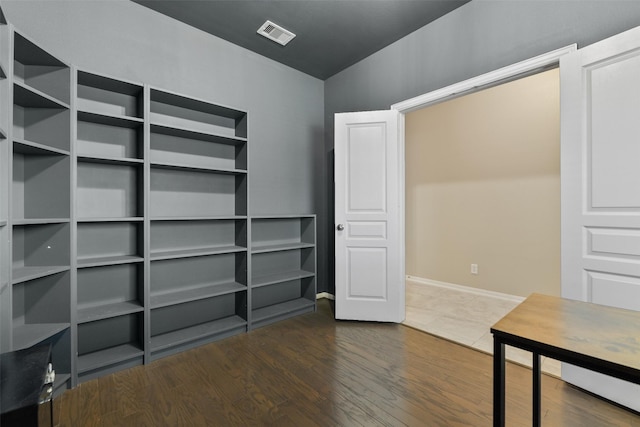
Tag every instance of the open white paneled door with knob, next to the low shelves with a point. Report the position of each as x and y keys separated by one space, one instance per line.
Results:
x=369 y=239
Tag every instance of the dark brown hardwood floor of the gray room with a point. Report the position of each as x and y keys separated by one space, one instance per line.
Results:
x=315 y=371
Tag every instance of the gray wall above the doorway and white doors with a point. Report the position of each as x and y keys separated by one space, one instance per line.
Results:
x=479 y=37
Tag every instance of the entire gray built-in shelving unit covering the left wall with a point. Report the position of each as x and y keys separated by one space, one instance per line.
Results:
x=125 y=233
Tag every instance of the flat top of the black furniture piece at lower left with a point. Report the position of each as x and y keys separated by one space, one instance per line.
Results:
x=22 y=375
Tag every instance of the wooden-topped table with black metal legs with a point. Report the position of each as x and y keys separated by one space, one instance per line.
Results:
x=596 y=337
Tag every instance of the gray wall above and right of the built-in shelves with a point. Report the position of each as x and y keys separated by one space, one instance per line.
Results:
x=124 y=40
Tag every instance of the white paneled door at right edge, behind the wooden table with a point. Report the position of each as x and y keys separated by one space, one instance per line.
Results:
x=600 y=96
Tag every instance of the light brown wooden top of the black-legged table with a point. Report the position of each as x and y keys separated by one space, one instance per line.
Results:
x=561 y=326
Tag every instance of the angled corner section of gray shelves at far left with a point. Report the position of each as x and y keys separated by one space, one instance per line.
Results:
x=36 y=209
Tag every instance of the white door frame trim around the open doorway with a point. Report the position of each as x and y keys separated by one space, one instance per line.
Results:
x=500 y=76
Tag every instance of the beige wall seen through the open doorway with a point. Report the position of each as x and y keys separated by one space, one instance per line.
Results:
x=483 y=187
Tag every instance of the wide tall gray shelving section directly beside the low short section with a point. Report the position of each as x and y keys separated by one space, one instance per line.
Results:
x=198 y=233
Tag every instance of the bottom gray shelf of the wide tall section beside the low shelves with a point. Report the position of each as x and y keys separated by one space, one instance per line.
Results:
x=197 y=332
